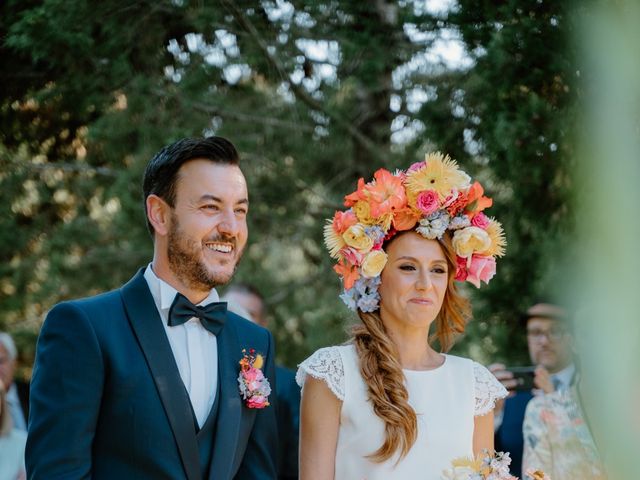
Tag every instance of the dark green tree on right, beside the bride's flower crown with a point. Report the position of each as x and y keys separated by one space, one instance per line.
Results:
x=517 y=101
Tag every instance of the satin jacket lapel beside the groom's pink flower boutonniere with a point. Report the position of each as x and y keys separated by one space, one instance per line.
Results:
x=230 y=407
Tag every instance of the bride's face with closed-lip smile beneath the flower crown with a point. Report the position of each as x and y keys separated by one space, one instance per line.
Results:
x=414 y=281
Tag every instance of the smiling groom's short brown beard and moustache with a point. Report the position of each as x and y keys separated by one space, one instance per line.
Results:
x=187 y=264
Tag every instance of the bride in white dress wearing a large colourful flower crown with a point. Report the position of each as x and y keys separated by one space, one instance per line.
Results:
x=387 y=404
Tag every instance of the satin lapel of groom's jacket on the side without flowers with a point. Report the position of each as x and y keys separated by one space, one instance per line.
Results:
x=147 y=326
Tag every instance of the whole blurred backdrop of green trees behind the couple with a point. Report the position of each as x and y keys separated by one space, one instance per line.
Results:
x=314 y=94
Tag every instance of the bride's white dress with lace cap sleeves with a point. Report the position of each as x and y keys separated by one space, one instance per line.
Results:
x=445 y=399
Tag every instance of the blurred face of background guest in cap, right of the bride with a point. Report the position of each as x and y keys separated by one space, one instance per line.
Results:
x=550 y=344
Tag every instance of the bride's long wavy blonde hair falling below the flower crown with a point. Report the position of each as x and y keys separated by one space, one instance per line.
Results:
x=381 y=369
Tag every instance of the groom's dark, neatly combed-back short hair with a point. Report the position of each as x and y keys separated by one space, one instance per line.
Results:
x=161 y=174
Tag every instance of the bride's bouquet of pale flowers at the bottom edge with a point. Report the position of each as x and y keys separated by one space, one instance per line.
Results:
x=487 y=467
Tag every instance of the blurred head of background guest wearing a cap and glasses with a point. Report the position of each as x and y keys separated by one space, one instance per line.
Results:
x=549 y=336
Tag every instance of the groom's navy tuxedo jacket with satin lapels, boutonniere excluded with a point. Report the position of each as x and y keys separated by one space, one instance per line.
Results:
x=107 y=400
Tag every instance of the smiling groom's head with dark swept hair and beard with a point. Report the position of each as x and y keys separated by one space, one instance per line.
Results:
x=196 y=202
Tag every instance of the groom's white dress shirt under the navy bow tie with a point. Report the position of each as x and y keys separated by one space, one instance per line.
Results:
x=195 y=349
